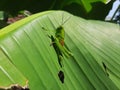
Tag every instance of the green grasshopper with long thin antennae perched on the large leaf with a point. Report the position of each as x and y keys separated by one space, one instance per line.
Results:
x=58 y=44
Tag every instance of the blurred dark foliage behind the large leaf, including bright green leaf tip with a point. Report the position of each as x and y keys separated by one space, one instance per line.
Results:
x=92 y=9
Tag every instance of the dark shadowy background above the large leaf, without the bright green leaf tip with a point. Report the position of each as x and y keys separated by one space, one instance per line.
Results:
x=99 y=9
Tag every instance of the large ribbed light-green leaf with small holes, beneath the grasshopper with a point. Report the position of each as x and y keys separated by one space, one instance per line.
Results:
x=26 y=54
